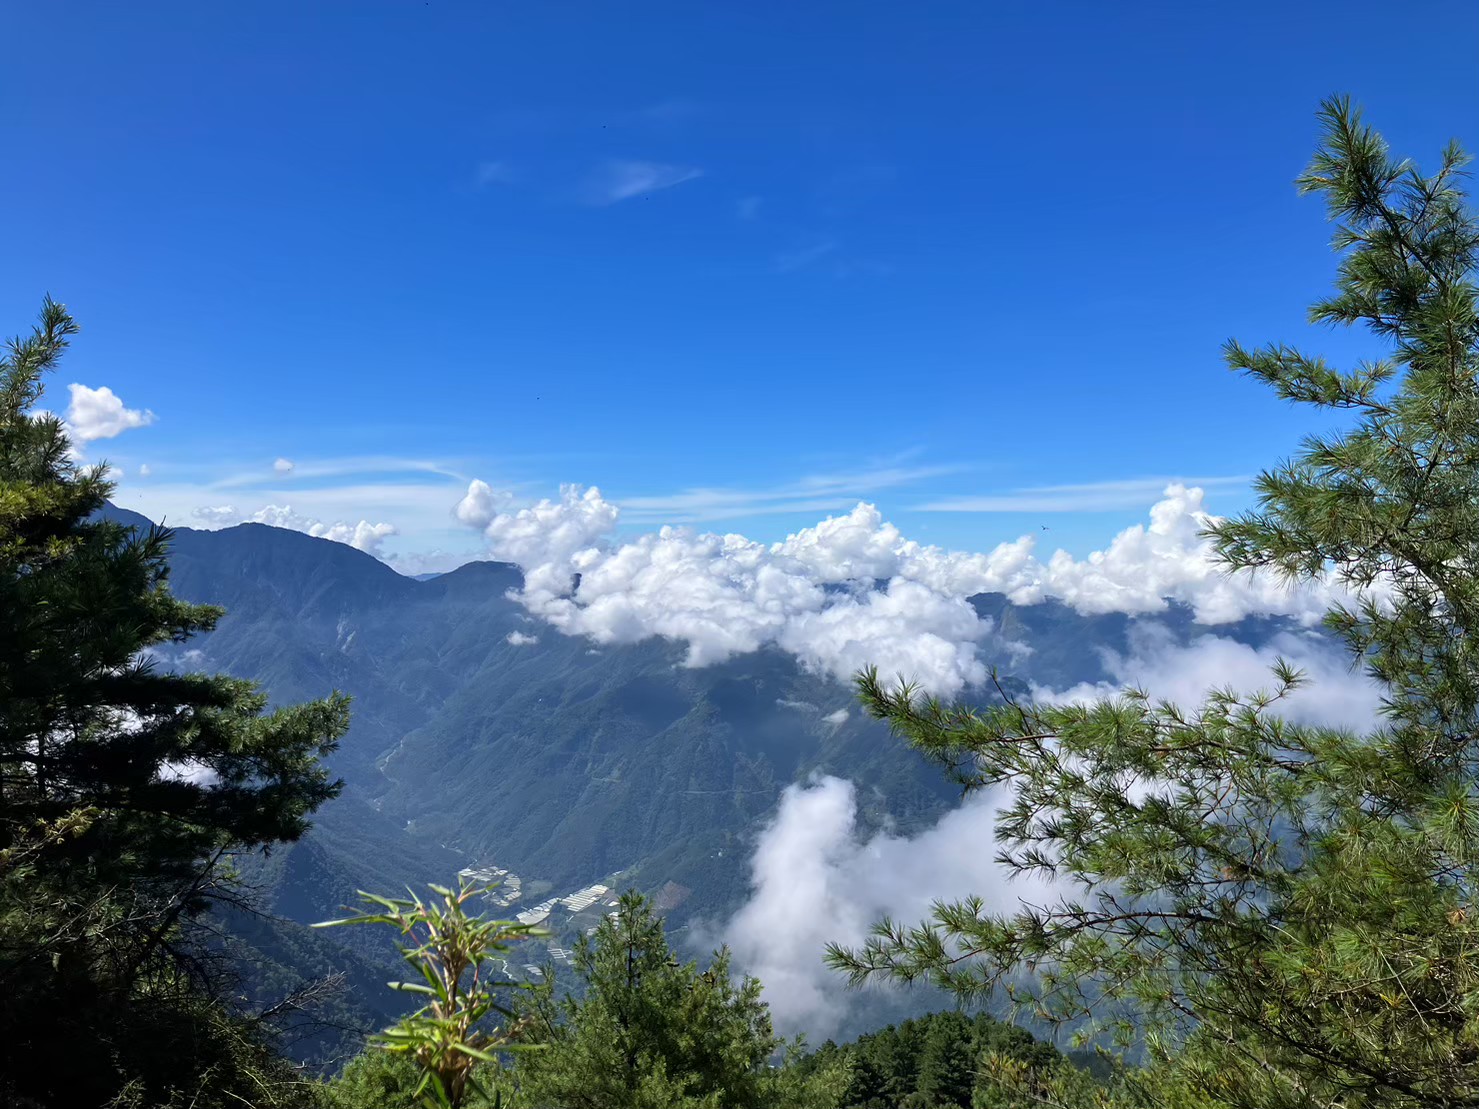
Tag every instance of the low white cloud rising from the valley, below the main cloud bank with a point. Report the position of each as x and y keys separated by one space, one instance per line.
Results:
x=816 y=879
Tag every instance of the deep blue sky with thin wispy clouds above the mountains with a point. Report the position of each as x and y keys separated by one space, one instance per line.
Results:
x=739 y=265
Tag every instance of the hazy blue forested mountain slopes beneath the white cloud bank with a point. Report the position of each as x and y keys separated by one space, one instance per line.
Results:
x=484 y=737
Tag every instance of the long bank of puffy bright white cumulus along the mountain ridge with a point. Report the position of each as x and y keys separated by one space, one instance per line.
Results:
x=854 y=591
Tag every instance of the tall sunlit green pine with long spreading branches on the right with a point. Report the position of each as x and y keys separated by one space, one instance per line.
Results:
x=1283 y=915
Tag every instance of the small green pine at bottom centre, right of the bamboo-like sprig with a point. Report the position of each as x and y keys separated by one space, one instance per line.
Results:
x=647 y=1031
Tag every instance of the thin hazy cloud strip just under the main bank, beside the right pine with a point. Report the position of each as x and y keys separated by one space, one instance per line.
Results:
x=1335 y=694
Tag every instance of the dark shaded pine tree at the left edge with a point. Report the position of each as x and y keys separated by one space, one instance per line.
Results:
x=125 y=786
